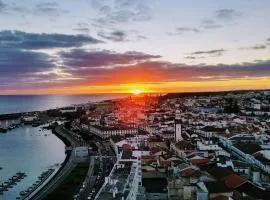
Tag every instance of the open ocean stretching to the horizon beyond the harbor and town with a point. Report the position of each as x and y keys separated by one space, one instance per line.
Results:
x=26 y=103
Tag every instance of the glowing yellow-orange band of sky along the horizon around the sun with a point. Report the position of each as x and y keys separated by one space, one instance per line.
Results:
x=156 y=87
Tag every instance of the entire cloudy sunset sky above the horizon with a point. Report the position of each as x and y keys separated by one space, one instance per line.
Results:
x=118 y=46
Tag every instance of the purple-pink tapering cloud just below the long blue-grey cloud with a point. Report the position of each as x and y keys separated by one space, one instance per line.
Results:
x=82 y=58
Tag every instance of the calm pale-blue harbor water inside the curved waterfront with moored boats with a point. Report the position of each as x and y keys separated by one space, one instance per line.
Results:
x=20 y=150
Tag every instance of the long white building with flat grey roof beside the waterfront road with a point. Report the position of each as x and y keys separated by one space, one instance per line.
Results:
x=125 y=179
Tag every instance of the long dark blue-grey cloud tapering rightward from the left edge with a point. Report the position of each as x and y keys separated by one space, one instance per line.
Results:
x=23 y=40
